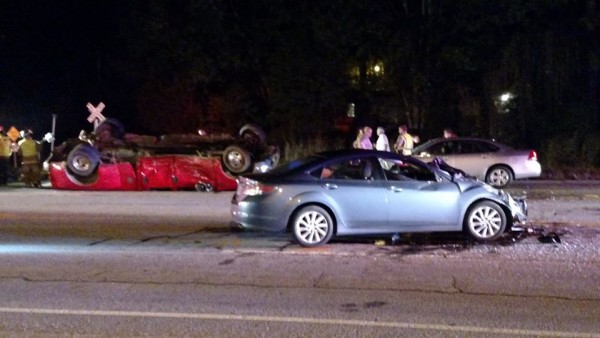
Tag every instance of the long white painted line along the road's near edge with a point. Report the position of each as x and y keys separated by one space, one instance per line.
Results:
x=302 y=320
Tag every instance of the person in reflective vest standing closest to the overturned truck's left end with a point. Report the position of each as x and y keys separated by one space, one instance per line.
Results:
x=29 y=149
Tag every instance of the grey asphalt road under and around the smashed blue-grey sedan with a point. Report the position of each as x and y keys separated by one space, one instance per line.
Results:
x=164 y=264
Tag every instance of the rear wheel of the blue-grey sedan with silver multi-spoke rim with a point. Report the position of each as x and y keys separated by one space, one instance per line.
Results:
x=312 y=226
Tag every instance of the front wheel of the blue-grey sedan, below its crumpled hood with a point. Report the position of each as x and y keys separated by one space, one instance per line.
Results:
x=485 y=221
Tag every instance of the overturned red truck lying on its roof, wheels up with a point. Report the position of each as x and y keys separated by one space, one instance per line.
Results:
x=110 y=159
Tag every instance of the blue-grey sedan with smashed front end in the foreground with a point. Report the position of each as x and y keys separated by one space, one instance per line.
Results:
x=364 y=192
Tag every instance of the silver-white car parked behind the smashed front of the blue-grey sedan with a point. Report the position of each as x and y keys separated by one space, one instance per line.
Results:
x=488 y=160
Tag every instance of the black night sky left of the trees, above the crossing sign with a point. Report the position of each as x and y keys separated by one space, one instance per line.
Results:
x=51 y=53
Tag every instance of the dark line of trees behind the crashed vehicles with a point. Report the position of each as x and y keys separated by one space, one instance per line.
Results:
x=294 y=67
